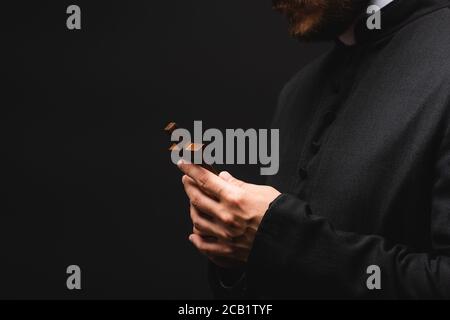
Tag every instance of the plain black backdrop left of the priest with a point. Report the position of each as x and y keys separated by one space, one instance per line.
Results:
x=87 y=178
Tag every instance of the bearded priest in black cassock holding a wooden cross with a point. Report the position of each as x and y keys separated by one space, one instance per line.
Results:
x=364 y=180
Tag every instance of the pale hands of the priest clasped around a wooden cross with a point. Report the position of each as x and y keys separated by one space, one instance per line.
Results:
x=226 y=213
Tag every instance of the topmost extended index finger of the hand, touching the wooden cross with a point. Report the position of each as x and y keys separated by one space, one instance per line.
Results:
x=205 y=179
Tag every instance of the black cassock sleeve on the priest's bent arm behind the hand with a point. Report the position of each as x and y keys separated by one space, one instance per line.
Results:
x=299 y=255
